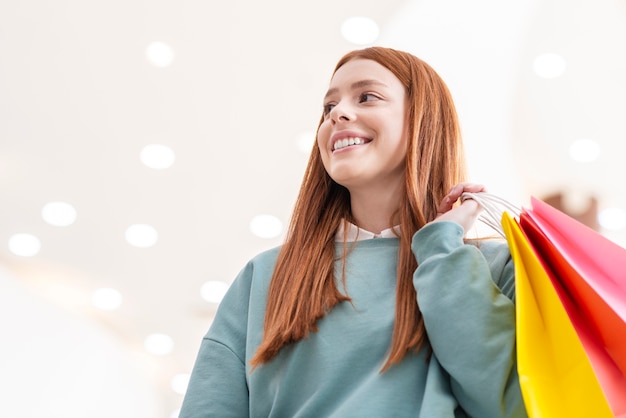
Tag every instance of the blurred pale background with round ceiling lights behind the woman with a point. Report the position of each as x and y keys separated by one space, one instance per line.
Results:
x=148 y=150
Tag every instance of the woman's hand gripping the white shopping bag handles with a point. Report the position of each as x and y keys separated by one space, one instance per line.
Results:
x=464 y=214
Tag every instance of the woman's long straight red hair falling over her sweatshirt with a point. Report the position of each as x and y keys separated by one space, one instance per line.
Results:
x=303 y=288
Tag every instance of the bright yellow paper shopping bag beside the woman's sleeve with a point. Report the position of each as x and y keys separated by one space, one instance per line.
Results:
x=556 y=376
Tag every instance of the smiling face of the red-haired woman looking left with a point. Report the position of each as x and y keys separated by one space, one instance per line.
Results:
x=363 y=136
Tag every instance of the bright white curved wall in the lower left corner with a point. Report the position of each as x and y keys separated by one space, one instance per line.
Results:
x=56 y=364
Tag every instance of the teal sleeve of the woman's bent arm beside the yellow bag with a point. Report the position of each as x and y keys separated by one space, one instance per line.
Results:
x=469 y=319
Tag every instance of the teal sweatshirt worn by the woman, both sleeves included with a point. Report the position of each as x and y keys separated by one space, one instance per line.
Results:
x=465 y=292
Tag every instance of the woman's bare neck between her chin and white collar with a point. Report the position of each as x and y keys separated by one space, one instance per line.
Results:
x=373 y=210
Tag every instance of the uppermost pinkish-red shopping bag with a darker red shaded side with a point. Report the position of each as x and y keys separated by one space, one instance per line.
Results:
x=589 y=266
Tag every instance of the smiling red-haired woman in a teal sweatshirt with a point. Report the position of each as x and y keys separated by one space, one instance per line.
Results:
x=375 y=306
